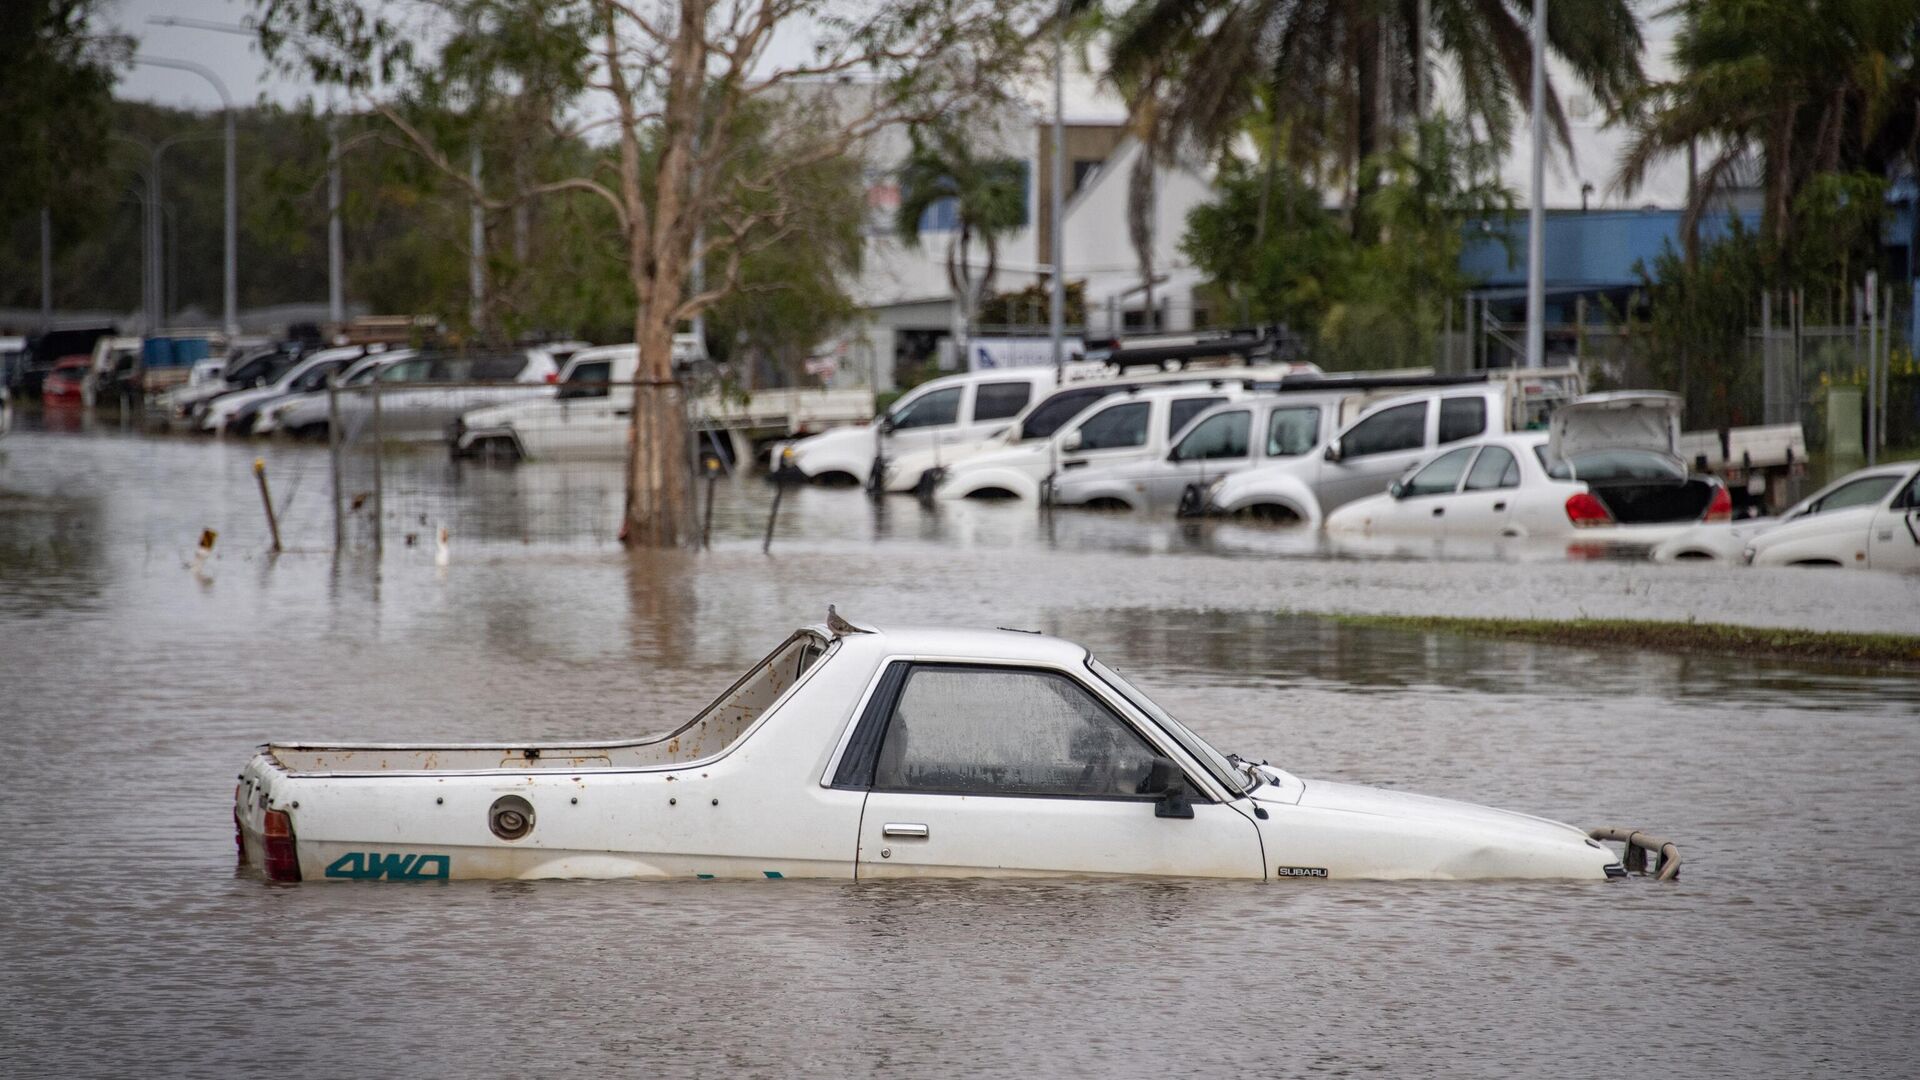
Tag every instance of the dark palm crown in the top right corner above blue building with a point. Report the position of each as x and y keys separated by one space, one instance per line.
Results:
x=1783 y=91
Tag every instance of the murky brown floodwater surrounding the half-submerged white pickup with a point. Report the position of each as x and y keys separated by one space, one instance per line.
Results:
x=133 y=689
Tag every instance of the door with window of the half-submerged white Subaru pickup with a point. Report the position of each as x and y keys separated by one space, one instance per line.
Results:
x=986 y=770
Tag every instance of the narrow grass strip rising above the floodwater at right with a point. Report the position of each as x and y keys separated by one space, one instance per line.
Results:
x=1808 y=647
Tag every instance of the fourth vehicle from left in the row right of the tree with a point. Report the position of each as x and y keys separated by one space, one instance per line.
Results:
x=1226 y=439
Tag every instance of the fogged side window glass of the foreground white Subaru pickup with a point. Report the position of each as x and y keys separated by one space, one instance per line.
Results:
x=1007 y=733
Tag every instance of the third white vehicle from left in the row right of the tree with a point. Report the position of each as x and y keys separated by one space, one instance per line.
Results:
x=1128 y=426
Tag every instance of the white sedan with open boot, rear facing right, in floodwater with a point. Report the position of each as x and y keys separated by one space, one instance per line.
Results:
x=1512 y=487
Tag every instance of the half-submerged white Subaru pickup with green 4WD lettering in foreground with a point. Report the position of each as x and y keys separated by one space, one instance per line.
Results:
x=869 y=754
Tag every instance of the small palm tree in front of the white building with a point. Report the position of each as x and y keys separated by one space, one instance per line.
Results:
x=990 y=199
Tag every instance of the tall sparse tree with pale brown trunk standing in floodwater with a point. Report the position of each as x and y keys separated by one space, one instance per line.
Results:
x=661 y=82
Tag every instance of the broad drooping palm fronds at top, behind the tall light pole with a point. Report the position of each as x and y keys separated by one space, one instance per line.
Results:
x=1345 y=76
